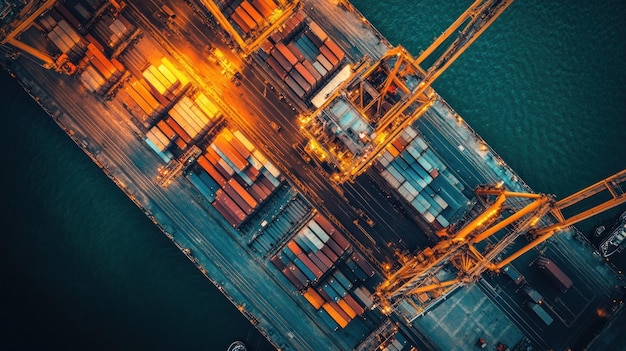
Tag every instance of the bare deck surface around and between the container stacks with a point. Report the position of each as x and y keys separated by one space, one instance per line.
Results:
x=108 y=133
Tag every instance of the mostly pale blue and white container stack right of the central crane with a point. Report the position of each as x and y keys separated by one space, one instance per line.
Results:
x=419 y=176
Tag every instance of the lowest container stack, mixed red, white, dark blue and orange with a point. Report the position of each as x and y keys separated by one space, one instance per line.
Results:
x=321 y=263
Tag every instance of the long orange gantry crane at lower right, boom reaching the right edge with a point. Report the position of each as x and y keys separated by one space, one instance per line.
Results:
x=464 y=249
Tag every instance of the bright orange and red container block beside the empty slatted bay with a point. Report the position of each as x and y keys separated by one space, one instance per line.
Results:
x=241 y=178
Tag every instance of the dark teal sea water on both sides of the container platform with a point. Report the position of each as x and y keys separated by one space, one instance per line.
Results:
x=82 y=268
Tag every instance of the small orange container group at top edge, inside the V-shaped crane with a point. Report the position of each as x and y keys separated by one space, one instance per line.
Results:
x=249 y=16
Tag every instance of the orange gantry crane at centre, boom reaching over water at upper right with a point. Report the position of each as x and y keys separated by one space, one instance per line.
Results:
x=389 y=121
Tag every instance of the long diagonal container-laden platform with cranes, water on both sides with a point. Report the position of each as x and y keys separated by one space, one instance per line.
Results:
x=211 y=149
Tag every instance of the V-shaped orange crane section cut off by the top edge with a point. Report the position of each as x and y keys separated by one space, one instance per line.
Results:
x=248 y=45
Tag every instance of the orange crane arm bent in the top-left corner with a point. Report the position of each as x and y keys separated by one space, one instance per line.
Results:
x=61 y=63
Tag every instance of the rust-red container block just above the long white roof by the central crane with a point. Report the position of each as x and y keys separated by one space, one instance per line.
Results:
x=302 y=55
